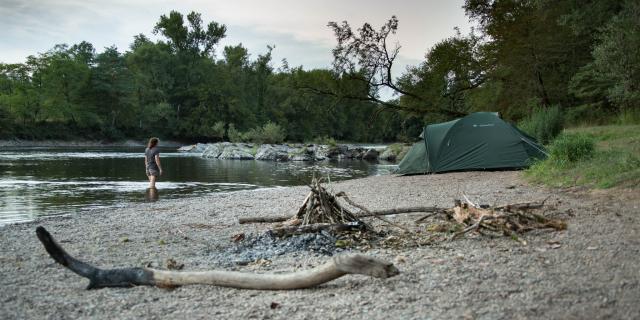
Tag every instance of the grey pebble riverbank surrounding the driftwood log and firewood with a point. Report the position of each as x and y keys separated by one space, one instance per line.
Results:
x=587 y=271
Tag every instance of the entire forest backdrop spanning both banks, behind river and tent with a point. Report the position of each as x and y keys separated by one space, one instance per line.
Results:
x=581 y=57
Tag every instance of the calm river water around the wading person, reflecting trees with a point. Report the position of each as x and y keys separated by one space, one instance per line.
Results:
x=59 y=181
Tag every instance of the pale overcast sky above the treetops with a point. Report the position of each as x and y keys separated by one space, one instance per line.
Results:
x=297 y=28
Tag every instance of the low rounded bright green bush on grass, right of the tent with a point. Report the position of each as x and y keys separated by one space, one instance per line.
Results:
x=570 y=148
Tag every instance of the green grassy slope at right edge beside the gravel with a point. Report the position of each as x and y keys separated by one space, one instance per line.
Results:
x=614 y=163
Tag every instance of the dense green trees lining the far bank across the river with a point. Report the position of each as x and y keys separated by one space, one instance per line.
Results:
x=176 y=87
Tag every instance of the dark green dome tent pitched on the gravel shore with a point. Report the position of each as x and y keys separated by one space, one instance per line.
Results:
x=478 y=141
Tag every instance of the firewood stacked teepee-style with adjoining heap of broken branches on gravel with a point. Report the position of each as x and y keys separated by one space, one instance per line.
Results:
x=321 y=210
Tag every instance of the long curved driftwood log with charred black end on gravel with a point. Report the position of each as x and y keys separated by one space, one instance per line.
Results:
x=337 y=267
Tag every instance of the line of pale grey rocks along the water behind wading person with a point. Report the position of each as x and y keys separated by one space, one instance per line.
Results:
x=290 y=152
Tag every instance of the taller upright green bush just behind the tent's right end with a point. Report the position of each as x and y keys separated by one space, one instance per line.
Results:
x=544 y=124
